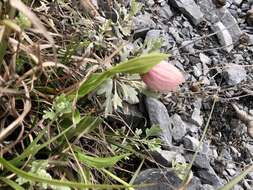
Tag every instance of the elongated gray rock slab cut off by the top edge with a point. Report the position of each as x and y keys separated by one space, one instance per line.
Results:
x=190 y=9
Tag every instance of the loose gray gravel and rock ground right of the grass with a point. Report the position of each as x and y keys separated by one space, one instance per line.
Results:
x=211 y=41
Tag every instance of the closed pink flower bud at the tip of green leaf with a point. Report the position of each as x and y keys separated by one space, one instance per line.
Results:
x=163 y=77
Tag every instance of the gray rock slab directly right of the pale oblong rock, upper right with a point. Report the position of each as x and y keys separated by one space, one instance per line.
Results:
x=230 y=23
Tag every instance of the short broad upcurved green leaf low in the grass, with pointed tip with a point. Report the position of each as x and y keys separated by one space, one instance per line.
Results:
x=97 y=162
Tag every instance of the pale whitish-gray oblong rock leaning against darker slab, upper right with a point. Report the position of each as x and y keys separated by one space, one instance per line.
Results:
x=223 y=35
